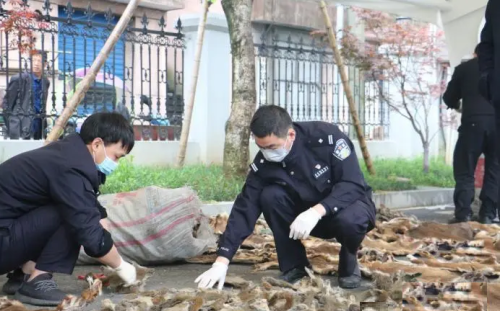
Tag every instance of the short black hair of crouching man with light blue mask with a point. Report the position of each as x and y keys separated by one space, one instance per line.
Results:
x=111 y=127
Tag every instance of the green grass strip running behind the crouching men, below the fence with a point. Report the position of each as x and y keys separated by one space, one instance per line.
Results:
x=211 y=185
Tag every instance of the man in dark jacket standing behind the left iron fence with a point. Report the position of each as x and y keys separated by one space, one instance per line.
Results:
x=25 y=101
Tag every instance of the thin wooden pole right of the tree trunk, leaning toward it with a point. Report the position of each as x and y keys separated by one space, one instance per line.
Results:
x=347 y=88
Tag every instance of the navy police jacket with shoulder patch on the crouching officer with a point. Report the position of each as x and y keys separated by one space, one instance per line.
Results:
x=321 y=167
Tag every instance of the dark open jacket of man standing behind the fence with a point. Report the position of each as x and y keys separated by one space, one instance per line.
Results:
x=18 y=106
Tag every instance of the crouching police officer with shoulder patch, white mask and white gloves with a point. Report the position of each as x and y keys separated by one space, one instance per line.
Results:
x=306 y=180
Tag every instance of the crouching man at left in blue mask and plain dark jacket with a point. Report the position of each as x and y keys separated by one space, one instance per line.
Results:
x=49 y=209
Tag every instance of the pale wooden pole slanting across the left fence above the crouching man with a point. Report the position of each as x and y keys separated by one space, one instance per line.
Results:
x=89 y=78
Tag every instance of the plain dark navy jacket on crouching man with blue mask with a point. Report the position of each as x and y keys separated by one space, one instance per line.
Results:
x=62 y=174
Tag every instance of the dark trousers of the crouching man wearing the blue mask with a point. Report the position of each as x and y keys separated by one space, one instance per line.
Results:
x=39 y=236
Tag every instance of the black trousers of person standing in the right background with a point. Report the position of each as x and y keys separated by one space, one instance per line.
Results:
x=474 y=139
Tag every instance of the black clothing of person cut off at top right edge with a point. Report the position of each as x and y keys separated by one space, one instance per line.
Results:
x=489 y=53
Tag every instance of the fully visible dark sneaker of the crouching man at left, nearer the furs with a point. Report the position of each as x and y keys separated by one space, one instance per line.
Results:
x=41 y=291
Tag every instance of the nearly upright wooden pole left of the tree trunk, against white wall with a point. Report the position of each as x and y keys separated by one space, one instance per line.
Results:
x=186 y=124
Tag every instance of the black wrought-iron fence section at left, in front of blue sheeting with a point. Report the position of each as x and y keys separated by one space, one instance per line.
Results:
x=142 y=77
